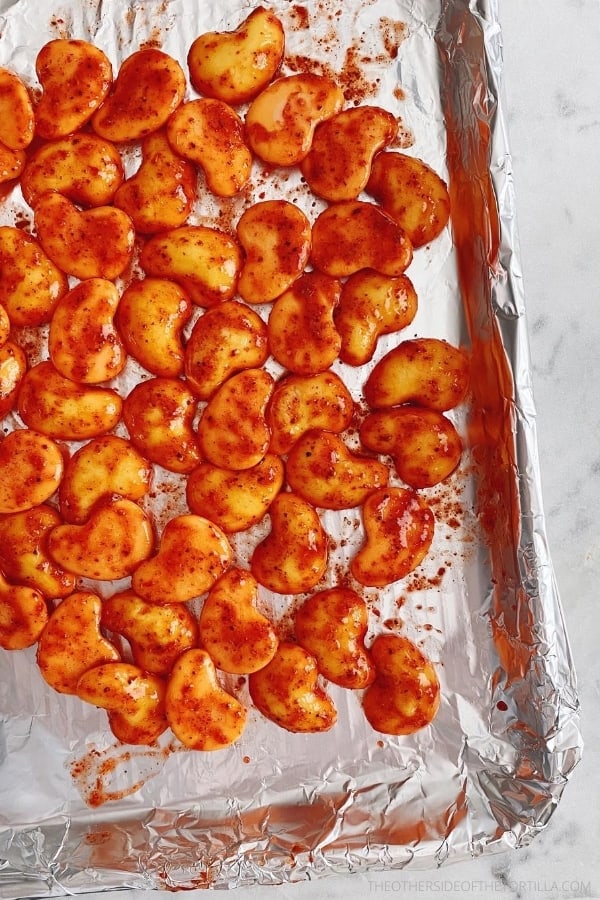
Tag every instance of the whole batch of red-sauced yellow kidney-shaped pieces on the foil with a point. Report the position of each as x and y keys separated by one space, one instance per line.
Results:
x=202 y=313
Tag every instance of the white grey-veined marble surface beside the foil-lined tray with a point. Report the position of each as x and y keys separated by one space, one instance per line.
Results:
x=552 y=75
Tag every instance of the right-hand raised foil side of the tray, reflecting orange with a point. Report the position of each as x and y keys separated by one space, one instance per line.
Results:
x=527 y=618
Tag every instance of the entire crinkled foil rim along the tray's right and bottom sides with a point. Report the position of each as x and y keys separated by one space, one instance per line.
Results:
x=506 y=807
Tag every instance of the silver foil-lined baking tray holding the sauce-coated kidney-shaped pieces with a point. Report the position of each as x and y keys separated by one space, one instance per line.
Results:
x=78 y=812
